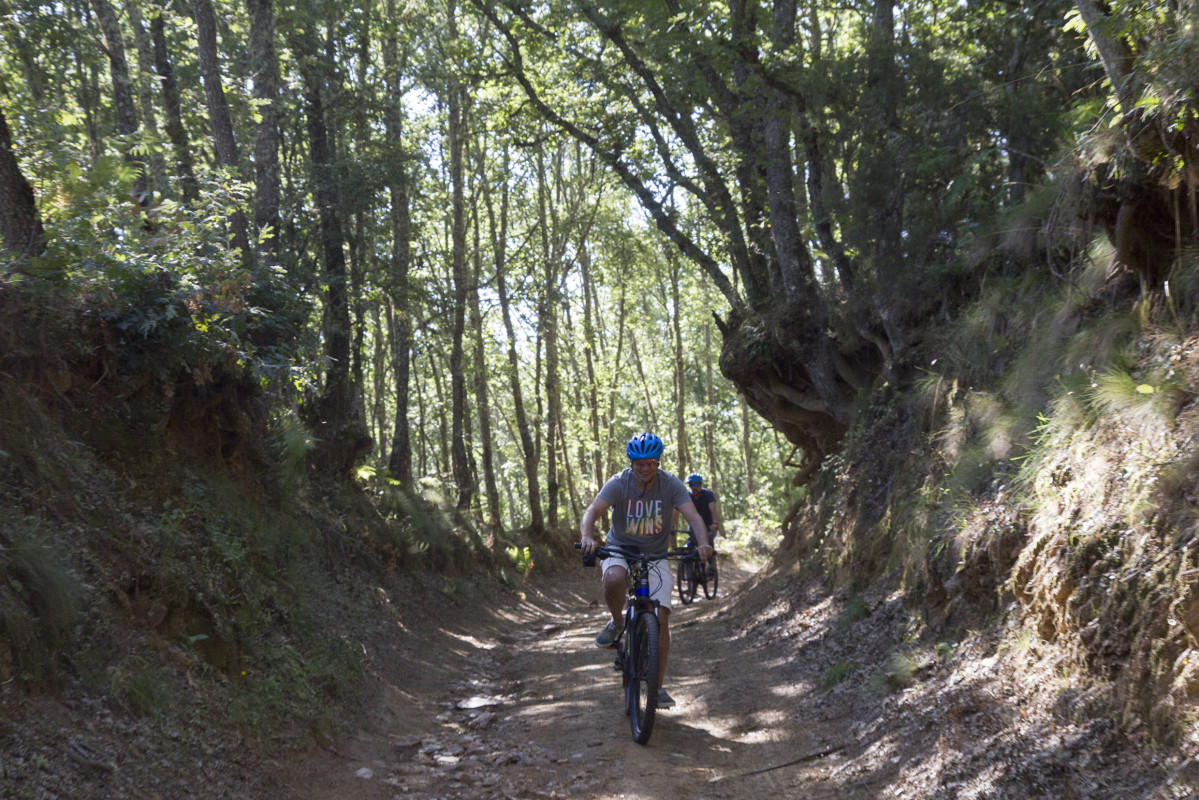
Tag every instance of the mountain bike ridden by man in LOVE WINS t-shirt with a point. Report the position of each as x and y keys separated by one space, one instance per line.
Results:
x=637 y=645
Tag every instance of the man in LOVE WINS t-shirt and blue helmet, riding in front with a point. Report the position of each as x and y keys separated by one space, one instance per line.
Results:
x=649 y=498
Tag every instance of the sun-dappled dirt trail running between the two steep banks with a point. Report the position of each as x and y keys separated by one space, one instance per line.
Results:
x=520 y=703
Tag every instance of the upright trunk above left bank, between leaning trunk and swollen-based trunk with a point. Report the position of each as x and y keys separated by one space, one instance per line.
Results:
x=266 y=74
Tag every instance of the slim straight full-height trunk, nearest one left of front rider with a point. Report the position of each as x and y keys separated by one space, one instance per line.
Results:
x=459 y=262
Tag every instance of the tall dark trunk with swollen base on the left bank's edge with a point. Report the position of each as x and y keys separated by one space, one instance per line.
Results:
x=342 y=440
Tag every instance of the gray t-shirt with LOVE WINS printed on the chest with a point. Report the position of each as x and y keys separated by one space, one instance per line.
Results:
x=642 y=520
